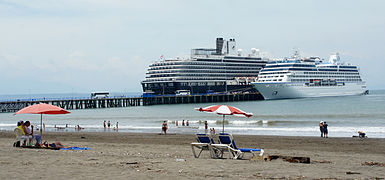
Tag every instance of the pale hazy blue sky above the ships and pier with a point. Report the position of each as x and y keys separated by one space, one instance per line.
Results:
x=80 y=46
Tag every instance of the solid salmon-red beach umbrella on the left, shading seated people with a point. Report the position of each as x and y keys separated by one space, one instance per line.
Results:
x=41 y=109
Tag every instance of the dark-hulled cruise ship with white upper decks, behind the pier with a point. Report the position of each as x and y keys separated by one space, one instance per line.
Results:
x=220 y=70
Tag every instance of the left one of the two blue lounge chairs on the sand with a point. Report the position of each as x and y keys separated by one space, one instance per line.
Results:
x=204 y=142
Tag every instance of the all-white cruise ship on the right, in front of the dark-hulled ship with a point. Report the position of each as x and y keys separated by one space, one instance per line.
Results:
x=297 y=77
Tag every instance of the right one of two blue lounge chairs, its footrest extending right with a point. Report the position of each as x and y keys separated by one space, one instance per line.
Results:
x=227 y=143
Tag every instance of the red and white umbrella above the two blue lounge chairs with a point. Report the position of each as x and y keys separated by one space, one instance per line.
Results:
x=225 y=110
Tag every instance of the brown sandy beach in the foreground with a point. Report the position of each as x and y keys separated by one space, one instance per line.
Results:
x=152 y=156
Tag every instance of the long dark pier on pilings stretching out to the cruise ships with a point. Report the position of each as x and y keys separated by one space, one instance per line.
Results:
x=70 y=104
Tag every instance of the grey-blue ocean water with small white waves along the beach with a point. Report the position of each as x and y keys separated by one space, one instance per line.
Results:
x=289 y=117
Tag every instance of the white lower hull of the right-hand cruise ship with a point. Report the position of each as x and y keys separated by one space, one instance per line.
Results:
x=296 y=90
